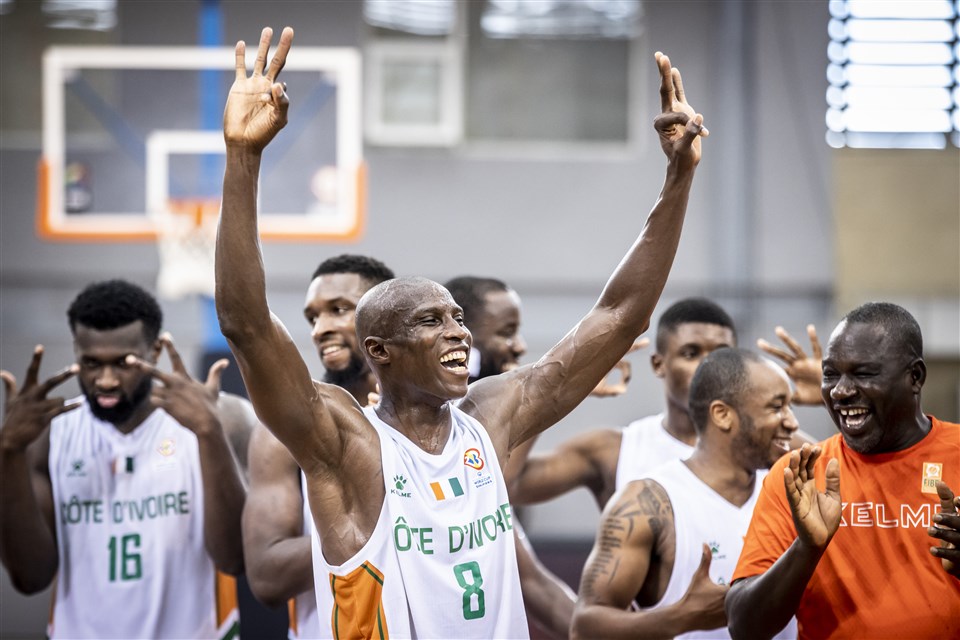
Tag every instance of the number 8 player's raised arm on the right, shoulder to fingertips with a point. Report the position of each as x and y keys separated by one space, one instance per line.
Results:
x=532 y=398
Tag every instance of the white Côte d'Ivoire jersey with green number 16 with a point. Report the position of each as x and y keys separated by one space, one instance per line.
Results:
x=129 y=520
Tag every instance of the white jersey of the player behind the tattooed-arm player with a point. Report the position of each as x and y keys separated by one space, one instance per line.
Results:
x=644 y=446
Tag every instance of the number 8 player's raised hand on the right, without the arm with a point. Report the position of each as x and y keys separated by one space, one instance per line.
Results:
x=678 y=125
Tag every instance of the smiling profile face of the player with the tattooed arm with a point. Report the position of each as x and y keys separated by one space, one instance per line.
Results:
x=766 y=421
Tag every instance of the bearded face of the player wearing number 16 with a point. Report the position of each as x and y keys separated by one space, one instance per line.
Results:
x=117 y=392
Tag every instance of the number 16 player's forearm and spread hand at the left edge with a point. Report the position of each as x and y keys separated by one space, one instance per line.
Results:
x=28 y=544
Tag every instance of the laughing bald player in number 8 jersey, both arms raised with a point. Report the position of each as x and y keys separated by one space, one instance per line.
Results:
x=411 y=492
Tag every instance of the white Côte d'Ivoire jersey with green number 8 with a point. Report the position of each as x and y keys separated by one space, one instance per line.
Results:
x=441 y=562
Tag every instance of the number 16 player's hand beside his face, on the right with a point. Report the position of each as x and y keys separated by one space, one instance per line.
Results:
x=189 y=402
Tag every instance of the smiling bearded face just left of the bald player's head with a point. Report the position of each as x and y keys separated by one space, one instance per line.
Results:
x=330 y=309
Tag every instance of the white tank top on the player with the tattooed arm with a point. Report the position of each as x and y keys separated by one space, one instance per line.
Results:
x=701 y=515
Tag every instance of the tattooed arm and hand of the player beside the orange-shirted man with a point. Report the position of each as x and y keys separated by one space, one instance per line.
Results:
x=636 y=527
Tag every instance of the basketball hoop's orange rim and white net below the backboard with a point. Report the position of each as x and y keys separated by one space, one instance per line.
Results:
x=186 y=240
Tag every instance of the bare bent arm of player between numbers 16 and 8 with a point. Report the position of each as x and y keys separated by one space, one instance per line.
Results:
x=278 y=554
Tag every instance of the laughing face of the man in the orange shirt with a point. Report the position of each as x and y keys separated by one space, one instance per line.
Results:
x=871 y=386
